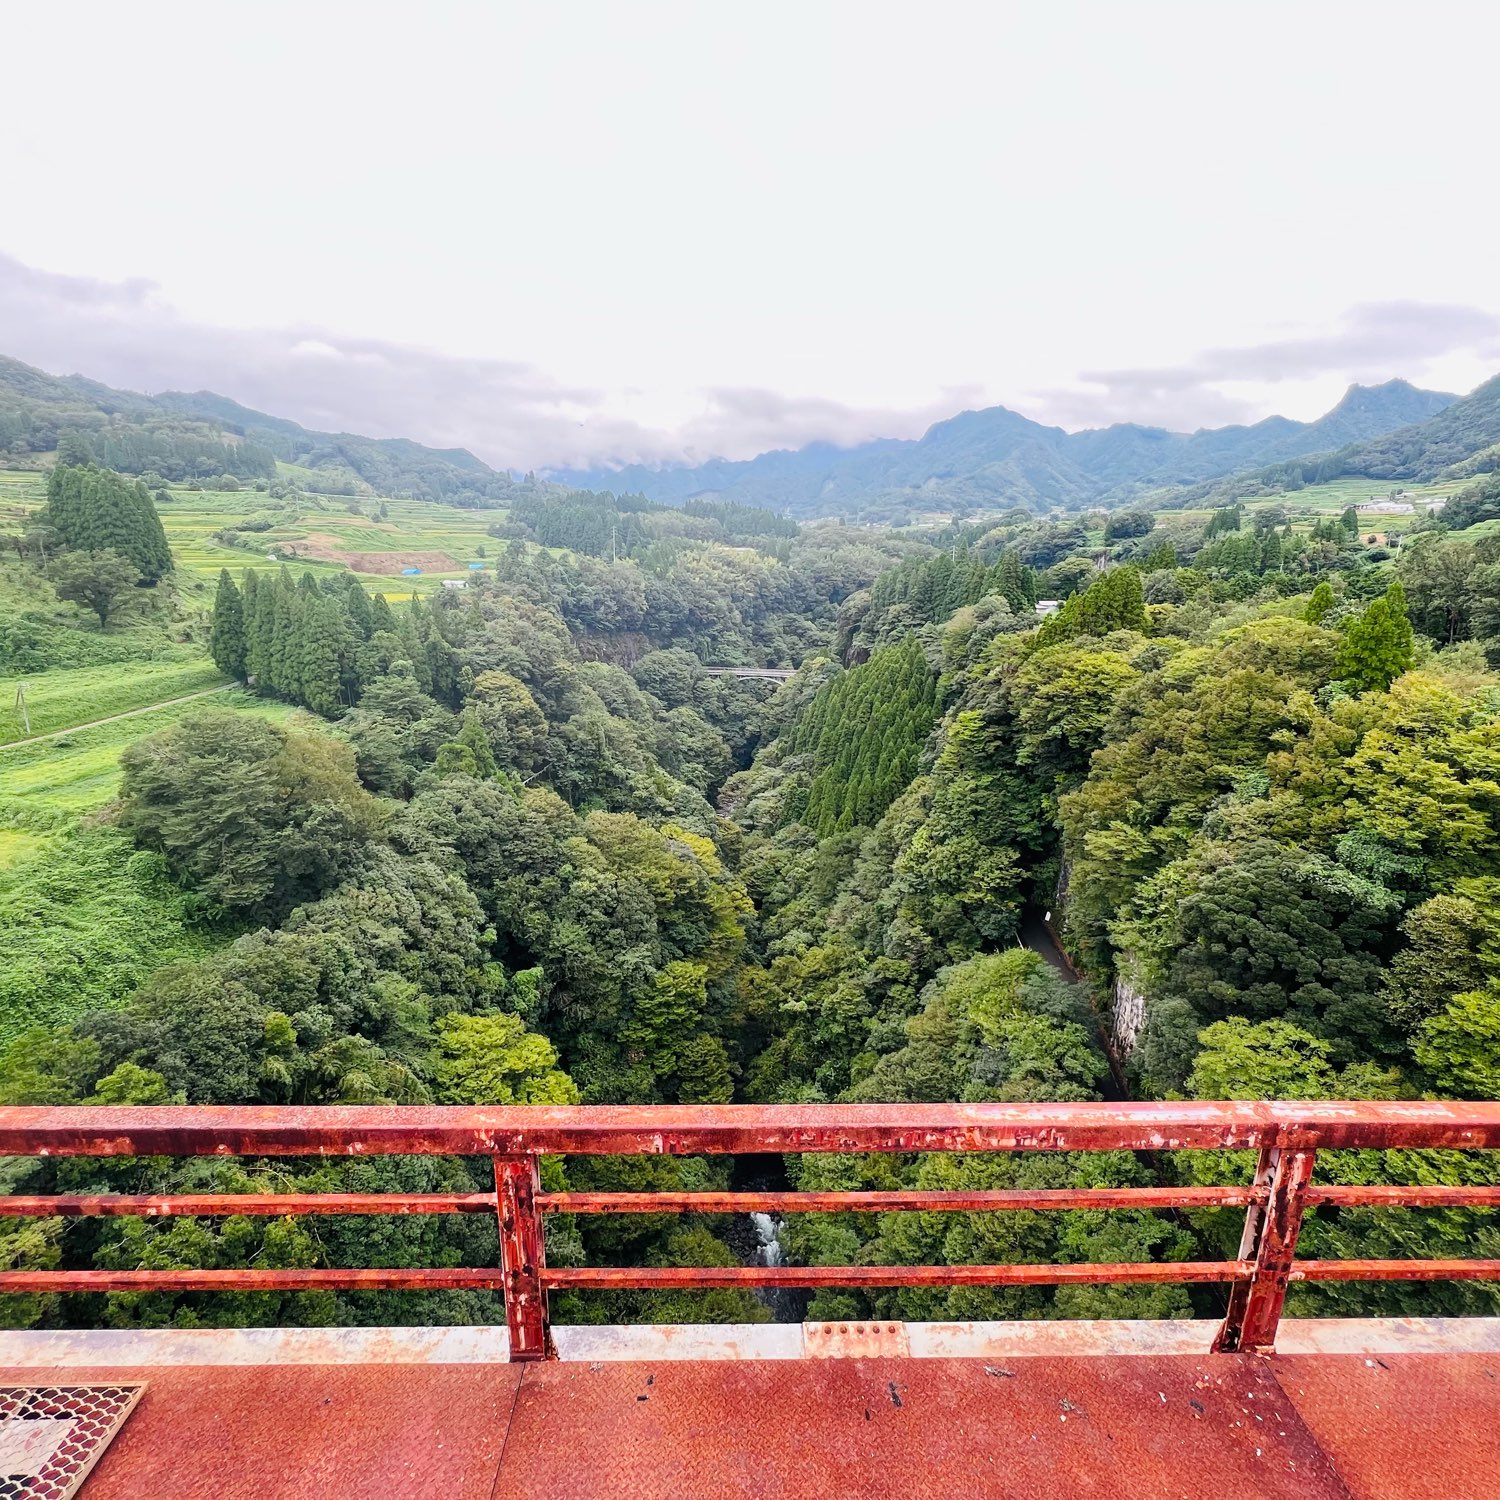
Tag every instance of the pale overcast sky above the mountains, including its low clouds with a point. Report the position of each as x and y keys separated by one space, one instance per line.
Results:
x=571 y=233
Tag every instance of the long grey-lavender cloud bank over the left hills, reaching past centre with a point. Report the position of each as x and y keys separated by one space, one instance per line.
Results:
x=512 y=415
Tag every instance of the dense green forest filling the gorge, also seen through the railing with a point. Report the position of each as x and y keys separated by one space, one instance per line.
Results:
x=524 y=848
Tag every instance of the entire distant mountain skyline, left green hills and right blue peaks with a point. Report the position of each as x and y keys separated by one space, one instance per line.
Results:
x=976 y=461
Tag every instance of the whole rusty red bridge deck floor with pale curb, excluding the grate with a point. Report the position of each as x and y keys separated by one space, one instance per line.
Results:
x=448 y=1421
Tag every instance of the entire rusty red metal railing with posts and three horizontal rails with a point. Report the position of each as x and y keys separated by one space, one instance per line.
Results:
x=1288 y=1138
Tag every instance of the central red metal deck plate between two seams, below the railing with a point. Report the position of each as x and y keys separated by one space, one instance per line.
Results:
x=923 y=1430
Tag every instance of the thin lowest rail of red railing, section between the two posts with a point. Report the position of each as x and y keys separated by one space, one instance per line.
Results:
x=647 y=1277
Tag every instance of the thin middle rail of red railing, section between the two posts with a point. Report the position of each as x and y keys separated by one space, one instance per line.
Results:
x=898 y=1202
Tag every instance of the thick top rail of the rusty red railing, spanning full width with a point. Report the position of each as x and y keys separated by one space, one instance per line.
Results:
x=746 y=1129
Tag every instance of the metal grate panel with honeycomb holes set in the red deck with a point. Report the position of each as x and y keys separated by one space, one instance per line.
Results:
x=52 y=1436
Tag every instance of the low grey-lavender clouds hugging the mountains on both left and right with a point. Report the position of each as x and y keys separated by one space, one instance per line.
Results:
x=520 y=416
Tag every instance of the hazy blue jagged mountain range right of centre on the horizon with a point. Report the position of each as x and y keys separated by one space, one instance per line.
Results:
x=997 y=457
